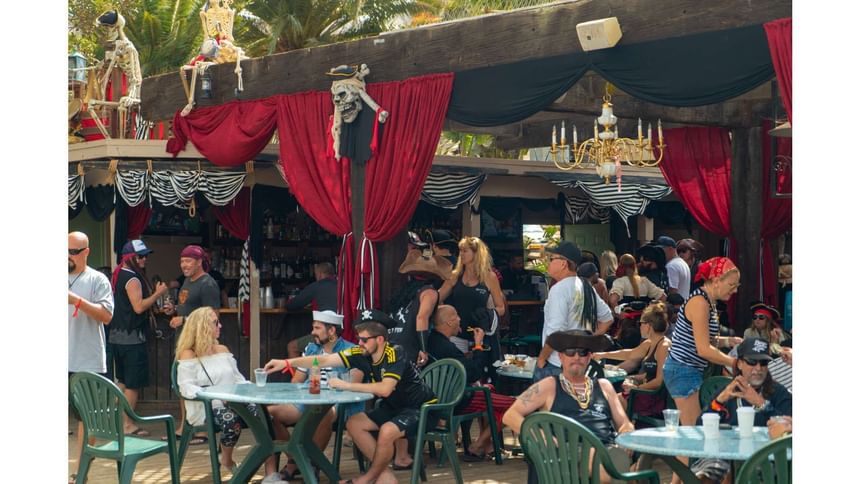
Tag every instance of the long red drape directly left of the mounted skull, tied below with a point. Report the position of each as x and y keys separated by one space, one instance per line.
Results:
x=319 y=182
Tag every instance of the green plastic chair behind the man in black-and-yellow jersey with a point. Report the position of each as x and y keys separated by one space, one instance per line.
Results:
x=447 y=379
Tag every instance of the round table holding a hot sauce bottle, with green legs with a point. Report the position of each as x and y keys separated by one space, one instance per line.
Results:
x=300 y=446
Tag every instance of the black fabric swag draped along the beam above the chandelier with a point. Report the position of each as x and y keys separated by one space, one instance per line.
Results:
x=692 y=70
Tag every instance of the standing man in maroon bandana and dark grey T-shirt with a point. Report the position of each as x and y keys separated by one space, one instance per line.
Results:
x=198 y=289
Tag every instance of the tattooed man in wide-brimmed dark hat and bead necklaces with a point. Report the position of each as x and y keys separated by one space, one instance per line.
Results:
x=590 y=401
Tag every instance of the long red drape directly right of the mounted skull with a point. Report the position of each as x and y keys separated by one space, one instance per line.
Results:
x=396 y=174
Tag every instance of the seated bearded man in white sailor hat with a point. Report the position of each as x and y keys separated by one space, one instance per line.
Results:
x=326 y=329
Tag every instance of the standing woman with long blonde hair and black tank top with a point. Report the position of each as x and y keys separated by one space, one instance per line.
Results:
x=470 y=287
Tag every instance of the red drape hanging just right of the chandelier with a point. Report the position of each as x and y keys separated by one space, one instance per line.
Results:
x=697 y=164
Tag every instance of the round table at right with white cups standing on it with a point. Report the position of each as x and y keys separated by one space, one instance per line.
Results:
x=689 y=441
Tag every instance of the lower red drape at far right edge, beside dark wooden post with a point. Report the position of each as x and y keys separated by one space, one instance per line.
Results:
x=776 y=212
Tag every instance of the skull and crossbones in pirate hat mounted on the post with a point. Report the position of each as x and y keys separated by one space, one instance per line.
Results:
x=347 y=94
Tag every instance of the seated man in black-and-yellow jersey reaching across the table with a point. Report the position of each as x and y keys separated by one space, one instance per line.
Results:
x=392 y=377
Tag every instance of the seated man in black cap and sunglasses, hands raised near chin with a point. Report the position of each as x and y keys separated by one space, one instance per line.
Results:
x=753 y=387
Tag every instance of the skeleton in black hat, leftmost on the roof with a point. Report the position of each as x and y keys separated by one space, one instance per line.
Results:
x=121 y=54
